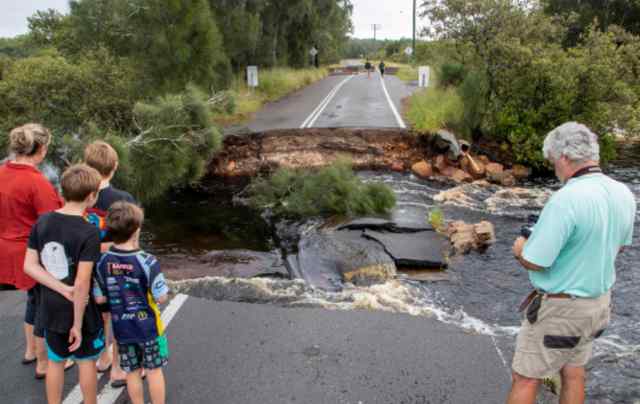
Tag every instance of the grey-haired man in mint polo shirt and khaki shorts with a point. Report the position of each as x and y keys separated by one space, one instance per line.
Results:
x=570 y=257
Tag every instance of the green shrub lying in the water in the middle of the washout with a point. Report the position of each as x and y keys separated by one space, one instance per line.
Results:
x=333 y=190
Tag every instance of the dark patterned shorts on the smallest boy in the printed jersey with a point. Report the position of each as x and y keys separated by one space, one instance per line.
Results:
x=148 y=355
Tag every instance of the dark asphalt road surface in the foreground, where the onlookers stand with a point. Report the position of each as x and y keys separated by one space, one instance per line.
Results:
x=236 y=353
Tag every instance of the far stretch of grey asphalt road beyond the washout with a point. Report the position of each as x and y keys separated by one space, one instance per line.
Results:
x=359 y=102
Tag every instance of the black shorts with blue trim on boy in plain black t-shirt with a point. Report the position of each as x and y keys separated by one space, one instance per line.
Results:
x=58 y=346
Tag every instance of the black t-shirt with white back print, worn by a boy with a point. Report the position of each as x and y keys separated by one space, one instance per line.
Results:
x=62 y=241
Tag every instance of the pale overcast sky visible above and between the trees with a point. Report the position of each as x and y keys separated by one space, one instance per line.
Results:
x=393 y=15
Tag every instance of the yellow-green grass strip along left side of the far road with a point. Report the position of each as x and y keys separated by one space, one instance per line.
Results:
x=273 y=84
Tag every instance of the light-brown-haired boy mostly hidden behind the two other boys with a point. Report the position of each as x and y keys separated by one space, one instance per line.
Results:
x=101 y=156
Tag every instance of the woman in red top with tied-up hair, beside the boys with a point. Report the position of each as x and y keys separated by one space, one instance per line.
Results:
x=25 y=194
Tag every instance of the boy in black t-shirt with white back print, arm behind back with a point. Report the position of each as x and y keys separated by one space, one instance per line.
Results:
x=61 y=254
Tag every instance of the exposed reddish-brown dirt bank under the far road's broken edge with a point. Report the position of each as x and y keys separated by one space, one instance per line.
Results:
x=246 y=155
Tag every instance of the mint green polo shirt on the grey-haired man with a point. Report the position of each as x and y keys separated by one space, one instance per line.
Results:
x=579 y=234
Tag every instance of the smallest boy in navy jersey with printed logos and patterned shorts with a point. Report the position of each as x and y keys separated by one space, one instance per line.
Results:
x=131 y=281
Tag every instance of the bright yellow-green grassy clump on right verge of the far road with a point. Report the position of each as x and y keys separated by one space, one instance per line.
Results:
x=436 y=108
